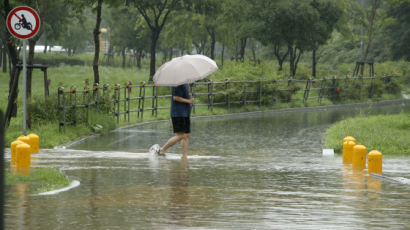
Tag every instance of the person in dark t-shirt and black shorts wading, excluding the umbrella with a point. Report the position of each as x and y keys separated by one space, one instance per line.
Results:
x=180 y=114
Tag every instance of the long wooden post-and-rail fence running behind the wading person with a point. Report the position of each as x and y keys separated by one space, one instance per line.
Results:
x=124 y=100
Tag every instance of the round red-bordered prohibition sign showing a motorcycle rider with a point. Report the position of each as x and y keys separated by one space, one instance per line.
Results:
x=23 y=22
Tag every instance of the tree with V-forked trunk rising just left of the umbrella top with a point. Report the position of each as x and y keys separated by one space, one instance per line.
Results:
x=155 y=13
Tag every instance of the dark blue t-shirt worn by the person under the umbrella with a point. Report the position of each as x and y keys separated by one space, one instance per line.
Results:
x=179 y=109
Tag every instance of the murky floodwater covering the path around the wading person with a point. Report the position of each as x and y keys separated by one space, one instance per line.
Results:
x=251 y=171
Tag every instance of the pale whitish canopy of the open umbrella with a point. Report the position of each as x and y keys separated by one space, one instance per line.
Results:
x=185 y=69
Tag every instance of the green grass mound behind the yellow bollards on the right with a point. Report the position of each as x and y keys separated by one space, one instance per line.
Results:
x=390 y=134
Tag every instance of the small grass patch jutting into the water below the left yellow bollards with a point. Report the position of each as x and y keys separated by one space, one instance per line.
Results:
x=40 y=179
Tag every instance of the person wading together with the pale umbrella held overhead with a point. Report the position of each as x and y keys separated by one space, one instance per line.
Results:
x=178 y=73
